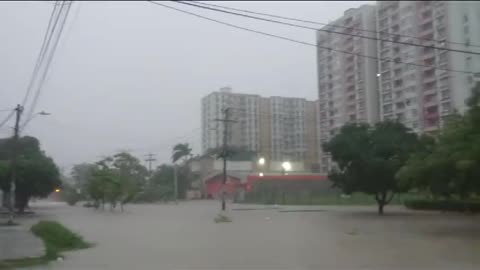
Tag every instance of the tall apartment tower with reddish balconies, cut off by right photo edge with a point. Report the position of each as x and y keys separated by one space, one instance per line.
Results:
x=420 y=97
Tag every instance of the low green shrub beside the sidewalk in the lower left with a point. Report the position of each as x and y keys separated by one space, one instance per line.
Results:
x=57 y=238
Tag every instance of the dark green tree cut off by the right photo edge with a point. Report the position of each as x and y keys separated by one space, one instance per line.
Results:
x=452 y=165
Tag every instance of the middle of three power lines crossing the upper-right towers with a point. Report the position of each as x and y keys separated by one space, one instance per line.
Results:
x=328 y=31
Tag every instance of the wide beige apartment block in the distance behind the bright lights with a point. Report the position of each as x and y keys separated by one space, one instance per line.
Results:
x=277 y=128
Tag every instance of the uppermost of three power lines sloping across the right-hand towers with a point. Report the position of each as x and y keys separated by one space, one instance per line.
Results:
x=332 y=25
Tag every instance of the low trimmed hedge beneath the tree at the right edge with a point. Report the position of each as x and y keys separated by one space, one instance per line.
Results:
x=444 y=205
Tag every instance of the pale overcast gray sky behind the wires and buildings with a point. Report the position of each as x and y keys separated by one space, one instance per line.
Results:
x=130 y=75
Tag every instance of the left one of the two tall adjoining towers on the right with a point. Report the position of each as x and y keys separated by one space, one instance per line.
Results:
x=347 y=83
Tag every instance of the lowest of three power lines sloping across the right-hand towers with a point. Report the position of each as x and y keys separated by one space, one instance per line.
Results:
x=306 y=43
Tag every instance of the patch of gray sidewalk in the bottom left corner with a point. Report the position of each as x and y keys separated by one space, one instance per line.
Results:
x=18 y=242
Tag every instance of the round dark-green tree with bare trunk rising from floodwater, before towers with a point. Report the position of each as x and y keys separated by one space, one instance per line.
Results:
x=367 y=158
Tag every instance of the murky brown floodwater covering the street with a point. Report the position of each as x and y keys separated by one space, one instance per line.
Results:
x=185 y=236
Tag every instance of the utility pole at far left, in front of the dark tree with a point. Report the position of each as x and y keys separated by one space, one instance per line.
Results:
x=16 y=130
